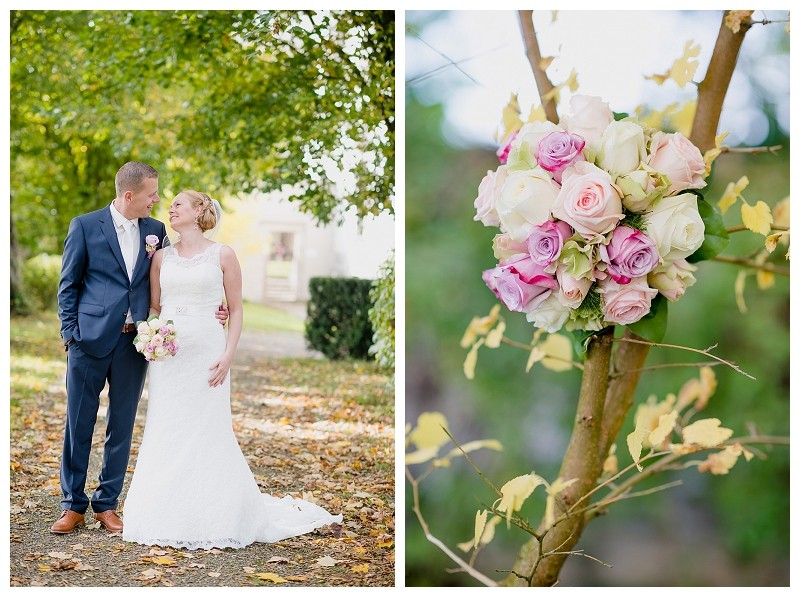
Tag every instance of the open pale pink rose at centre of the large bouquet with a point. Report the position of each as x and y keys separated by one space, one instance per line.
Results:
x=588 y=200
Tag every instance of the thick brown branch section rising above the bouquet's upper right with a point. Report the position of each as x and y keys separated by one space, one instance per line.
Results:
x=711 y=91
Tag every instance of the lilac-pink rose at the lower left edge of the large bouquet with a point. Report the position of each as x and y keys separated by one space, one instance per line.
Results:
x=519 y=283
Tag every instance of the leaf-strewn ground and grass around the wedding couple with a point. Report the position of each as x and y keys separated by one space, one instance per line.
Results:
x=308 y=427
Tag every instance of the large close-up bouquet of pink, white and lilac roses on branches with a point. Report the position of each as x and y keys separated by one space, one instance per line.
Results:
x=597 y=218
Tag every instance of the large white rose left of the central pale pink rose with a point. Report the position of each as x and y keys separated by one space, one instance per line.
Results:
x=525 y=201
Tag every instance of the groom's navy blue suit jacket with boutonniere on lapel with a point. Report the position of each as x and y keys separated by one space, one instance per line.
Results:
x=94 y=293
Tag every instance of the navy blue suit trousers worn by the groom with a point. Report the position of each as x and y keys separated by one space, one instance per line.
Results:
x=124 y=369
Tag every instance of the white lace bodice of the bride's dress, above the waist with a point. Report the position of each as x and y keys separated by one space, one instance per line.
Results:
x=191 y=281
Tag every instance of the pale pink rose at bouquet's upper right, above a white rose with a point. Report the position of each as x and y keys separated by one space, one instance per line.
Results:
x=677 y=157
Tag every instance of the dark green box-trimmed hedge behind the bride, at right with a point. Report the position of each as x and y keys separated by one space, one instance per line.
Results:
x=338 y=322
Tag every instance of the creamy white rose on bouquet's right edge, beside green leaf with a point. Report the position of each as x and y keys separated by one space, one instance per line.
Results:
x=675 y=226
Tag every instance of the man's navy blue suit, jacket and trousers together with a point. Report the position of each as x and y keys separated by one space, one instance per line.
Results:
x=94 y=295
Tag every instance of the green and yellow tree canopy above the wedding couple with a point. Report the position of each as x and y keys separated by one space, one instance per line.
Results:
x=222 y=101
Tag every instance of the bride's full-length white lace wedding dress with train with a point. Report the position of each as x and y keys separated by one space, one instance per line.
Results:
x=192 y=487
